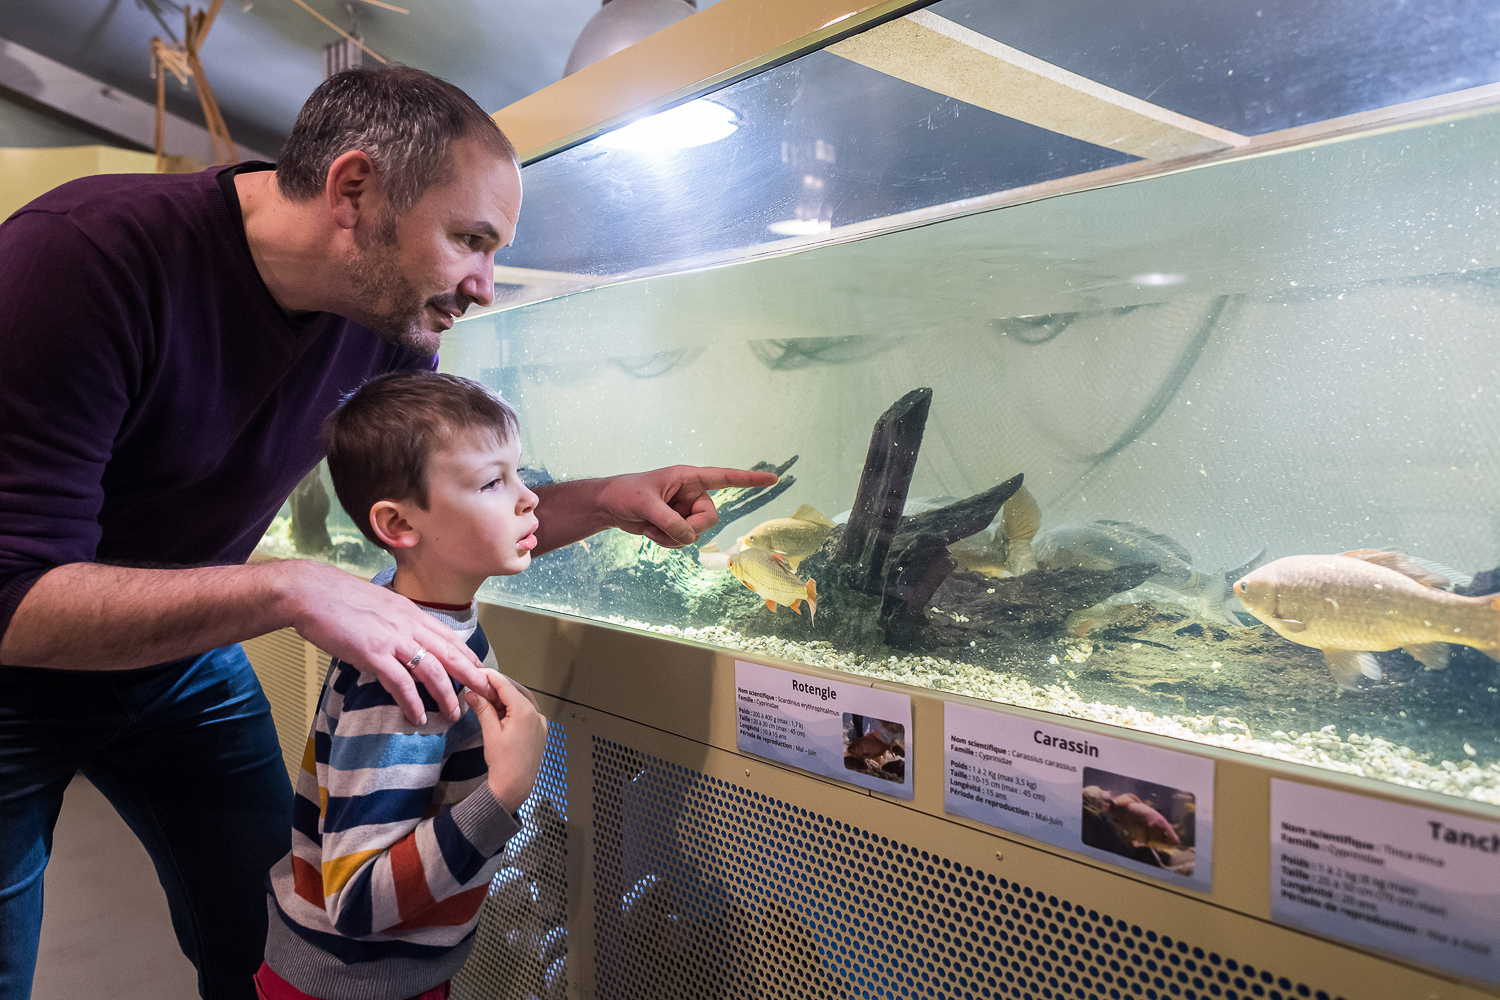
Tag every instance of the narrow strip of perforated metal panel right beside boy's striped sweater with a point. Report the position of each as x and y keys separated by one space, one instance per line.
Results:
x=521 y=945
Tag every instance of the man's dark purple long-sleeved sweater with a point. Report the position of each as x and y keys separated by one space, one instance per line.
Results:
x=157 y=406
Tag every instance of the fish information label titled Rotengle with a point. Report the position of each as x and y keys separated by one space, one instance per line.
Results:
x=839 y=731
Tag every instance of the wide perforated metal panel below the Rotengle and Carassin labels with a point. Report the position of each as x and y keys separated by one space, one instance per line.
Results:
x=710 y=890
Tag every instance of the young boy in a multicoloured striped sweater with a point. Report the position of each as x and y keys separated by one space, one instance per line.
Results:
x=398 y=828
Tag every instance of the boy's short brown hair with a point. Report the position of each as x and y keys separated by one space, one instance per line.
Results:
x=382 y=436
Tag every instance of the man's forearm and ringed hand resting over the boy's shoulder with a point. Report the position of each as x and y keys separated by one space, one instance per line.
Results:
x=91 y=617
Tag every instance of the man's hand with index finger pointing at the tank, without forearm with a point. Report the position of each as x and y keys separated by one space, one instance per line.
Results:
x=671 y=506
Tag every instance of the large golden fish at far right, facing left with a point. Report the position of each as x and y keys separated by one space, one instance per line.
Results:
x=1361 y=602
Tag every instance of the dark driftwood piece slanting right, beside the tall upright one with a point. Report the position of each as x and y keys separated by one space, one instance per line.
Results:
x=920 y=560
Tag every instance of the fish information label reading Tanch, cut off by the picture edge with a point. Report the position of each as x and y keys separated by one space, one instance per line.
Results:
x=1397 y=878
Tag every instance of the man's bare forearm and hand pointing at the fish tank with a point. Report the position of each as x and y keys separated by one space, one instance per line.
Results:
x=670 y=506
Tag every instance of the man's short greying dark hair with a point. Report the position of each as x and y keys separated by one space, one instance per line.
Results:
x=406 y=121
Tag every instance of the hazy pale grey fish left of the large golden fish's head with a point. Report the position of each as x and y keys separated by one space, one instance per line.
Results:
x=1111 y=545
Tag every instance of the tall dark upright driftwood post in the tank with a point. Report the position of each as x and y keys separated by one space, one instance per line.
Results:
x=881 y=497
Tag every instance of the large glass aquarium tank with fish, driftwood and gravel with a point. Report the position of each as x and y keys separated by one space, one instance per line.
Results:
x=1205 y=449
